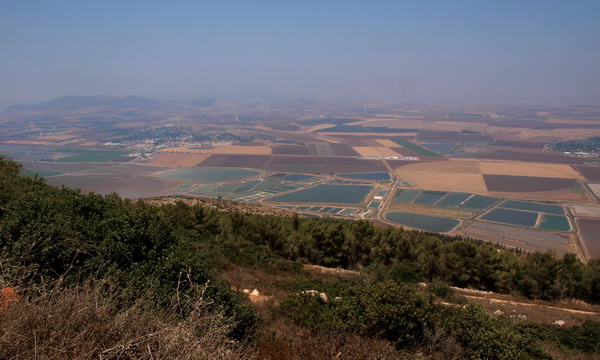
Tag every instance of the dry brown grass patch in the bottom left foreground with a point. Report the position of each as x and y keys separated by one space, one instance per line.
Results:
x=82 y=323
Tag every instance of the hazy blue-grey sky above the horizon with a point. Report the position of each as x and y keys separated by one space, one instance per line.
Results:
x=423 y=50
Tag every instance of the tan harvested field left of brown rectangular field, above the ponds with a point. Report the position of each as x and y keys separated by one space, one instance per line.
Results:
x=463 y=176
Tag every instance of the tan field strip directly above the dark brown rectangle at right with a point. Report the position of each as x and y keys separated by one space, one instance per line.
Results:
x=562 y=171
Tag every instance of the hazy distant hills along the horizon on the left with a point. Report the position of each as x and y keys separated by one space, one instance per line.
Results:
x=140 y=102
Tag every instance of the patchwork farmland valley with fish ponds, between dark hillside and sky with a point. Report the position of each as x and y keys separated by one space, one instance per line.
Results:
x=521 y=177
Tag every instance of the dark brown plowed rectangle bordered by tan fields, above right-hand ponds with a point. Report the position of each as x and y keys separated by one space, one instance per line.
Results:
x=509 y=183
